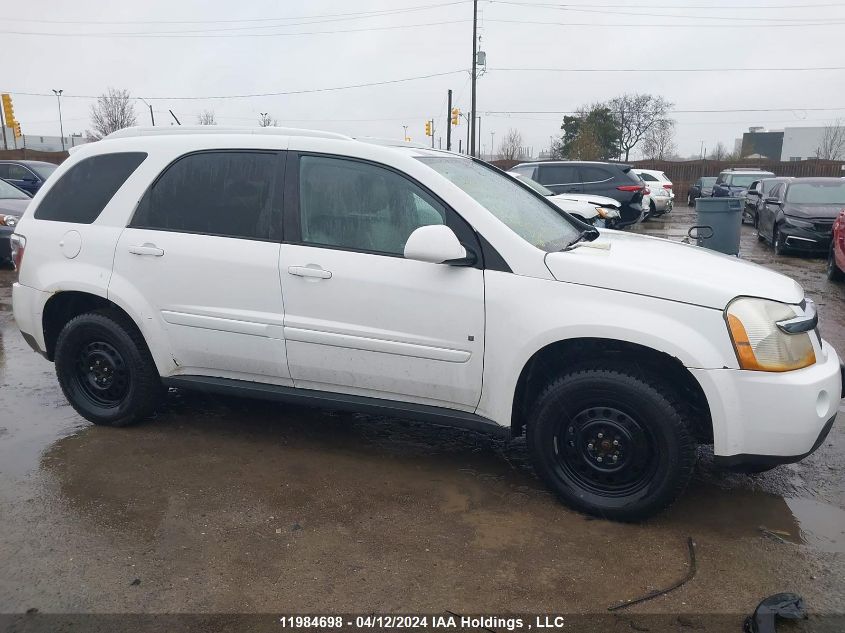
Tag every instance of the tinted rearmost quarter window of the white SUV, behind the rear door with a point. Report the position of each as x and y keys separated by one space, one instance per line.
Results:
x=86 y=188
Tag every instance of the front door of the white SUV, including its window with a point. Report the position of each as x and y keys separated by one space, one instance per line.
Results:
x=361 y=319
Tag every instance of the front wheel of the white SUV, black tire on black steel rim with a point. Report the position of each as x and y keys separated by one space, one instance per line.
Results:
x=612 y=442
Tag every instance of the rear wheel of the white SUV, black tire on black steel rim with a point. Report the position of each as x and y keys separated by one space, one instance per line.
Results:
x=105 y=369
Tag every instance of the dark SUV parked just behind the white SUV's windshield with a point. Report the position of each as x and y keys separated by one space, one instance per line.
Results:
x=614 y=180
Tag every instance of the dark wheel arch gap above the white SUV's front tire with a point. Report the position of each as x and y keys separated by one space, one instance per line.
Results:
x=554 y=358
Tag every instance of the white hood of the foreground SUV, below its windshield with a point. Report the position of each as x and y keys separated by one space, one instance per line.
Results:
x=662 y=268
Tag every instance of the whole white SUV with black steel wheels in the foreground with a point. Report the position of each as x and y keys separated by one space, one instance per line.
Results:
x=310 y=267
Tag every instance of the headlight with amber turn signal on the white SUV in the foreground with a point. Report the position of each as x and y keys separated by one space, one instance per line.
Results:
x=760 y=343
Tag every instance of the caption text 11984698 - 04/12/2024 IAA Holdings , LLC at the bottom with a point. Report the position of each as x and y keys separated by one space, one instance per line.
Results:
x=452 y=621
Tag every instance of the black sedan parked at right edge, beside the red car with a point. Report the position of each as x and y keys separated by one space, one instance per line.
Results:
x=799 y=214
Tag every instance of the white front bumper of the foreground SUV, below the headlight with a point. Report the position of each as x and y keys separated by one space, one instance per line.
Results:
x=778 y=416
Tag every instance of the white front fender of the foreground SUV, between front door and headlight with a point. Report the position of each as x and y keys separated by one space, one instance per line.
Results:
x=518 y=326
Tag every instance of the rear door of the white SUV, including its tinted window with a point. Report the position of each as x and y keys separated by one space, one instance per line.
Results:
x=200 y=255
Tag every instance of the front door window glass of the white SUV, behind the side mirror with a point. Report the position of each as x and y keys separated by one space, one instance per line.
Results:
x=359 y=206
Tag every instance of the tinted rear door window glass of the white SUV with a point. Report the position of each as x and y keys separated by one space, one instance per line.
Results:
x=226 y=193
